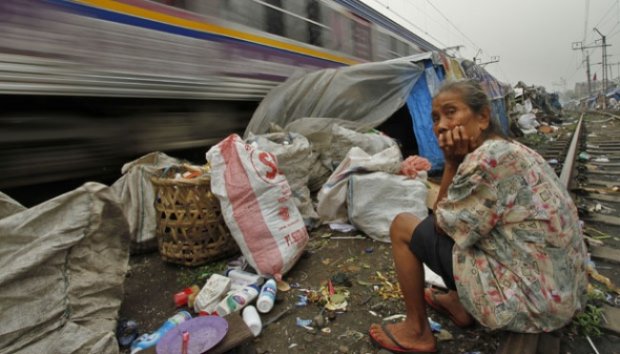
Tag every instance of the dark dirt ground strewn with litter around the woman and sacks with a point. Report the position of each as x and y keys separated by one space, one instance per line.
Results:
x=368 y=267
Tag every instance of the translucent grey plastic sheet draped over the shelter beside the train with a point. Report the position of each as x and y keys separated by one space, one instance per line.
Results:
x=367 y=94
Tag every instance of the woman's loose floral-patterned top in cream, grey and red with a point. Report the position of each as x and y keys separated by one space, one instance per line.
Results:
x=519 y=255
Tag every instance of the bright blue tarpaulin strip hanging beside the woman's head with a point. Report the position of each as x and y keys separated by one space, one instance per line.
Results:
x=419 y=104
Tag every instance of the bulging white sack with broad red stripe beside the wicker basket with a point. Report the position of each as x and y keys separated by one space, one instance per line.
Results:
x=257 y=205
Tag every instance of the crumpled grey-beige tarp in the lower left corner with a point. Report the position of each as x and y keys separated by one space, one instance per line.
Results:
x=63 y=263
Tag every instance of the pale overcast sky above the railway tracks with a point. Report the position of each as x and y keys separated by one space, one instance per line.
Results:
x=533 y=38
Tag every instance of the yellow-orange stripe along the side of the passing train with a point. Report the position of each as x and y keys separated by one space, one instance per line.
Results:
x=211 y=28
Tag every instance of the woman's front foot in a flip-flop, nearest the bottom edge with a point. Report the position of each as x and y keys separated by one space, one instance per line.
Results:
x=399 y=338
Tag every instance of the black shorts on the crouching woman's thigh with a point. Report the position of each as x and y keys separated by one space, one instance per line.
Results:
x=434 y=250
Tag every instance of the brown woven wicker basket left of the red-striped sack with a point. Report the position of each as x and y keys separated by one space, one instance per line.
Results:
x=190 y=229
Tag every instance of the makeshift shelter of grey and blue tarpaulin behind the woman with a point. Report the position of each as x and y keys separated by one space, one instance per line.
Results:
x=364 y=96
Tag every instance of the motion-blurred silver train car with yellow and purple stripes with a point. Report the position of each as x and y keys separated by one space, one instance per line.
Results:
x=88 y=84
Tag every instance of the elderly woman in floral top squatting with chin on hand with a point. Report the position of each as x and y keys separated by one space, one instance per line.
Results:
x=504 y=235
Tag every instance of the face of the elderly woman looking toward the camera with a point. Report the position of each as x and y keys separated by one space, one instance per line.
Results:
x=450 y=111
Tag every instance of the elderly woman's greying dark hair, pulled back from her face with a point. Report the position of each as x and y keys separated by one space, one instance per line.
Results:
x=477 y=100
